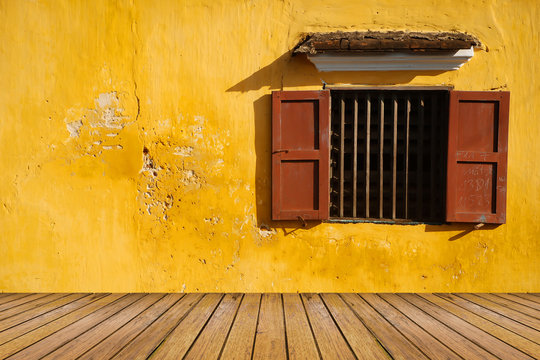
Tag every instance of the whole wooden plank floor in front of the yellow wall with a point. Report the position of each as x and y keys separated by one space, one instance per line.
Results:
x=269 y=326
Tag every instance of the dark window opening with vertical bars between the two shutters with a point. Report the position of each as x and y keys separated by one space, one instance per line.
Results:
x=388 y=154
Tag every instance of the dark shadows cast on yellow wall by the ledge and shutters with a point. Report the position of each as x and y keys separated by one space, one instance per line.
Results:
x=289 y=71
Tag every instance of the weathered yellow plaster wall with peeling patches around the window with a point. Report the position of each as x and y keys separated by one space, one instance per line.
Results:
x=88 y=85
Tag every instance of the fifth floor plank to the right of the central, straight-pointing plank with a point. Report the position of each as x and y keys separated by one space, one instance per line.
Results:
x=418 y=336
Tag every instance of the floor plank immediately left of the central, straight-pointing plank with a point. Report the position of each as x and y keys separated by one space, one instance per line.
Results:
x=241 y=338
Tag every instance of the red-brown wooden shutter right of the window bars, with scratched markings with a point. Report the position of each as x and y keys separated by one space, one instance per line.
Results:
x=477 y=157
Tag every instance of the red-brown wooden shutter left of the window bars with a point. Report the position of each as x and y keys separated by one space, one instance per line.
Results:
x=300 y=155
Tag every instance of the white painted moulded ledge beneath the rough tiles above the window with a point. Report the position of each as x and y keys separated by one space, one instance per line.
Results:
x=392 y=61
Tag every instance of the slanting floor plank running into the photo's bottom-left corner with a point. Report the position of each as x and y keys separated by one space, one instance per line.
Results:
x=26 y=340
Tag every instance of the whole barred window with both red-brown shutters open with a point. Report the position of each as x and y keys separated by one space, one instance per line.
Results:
x=394 y=155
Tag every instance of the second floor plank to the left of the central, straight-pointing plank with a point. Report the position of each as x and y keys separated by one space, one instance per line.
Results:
x=212 y=338
